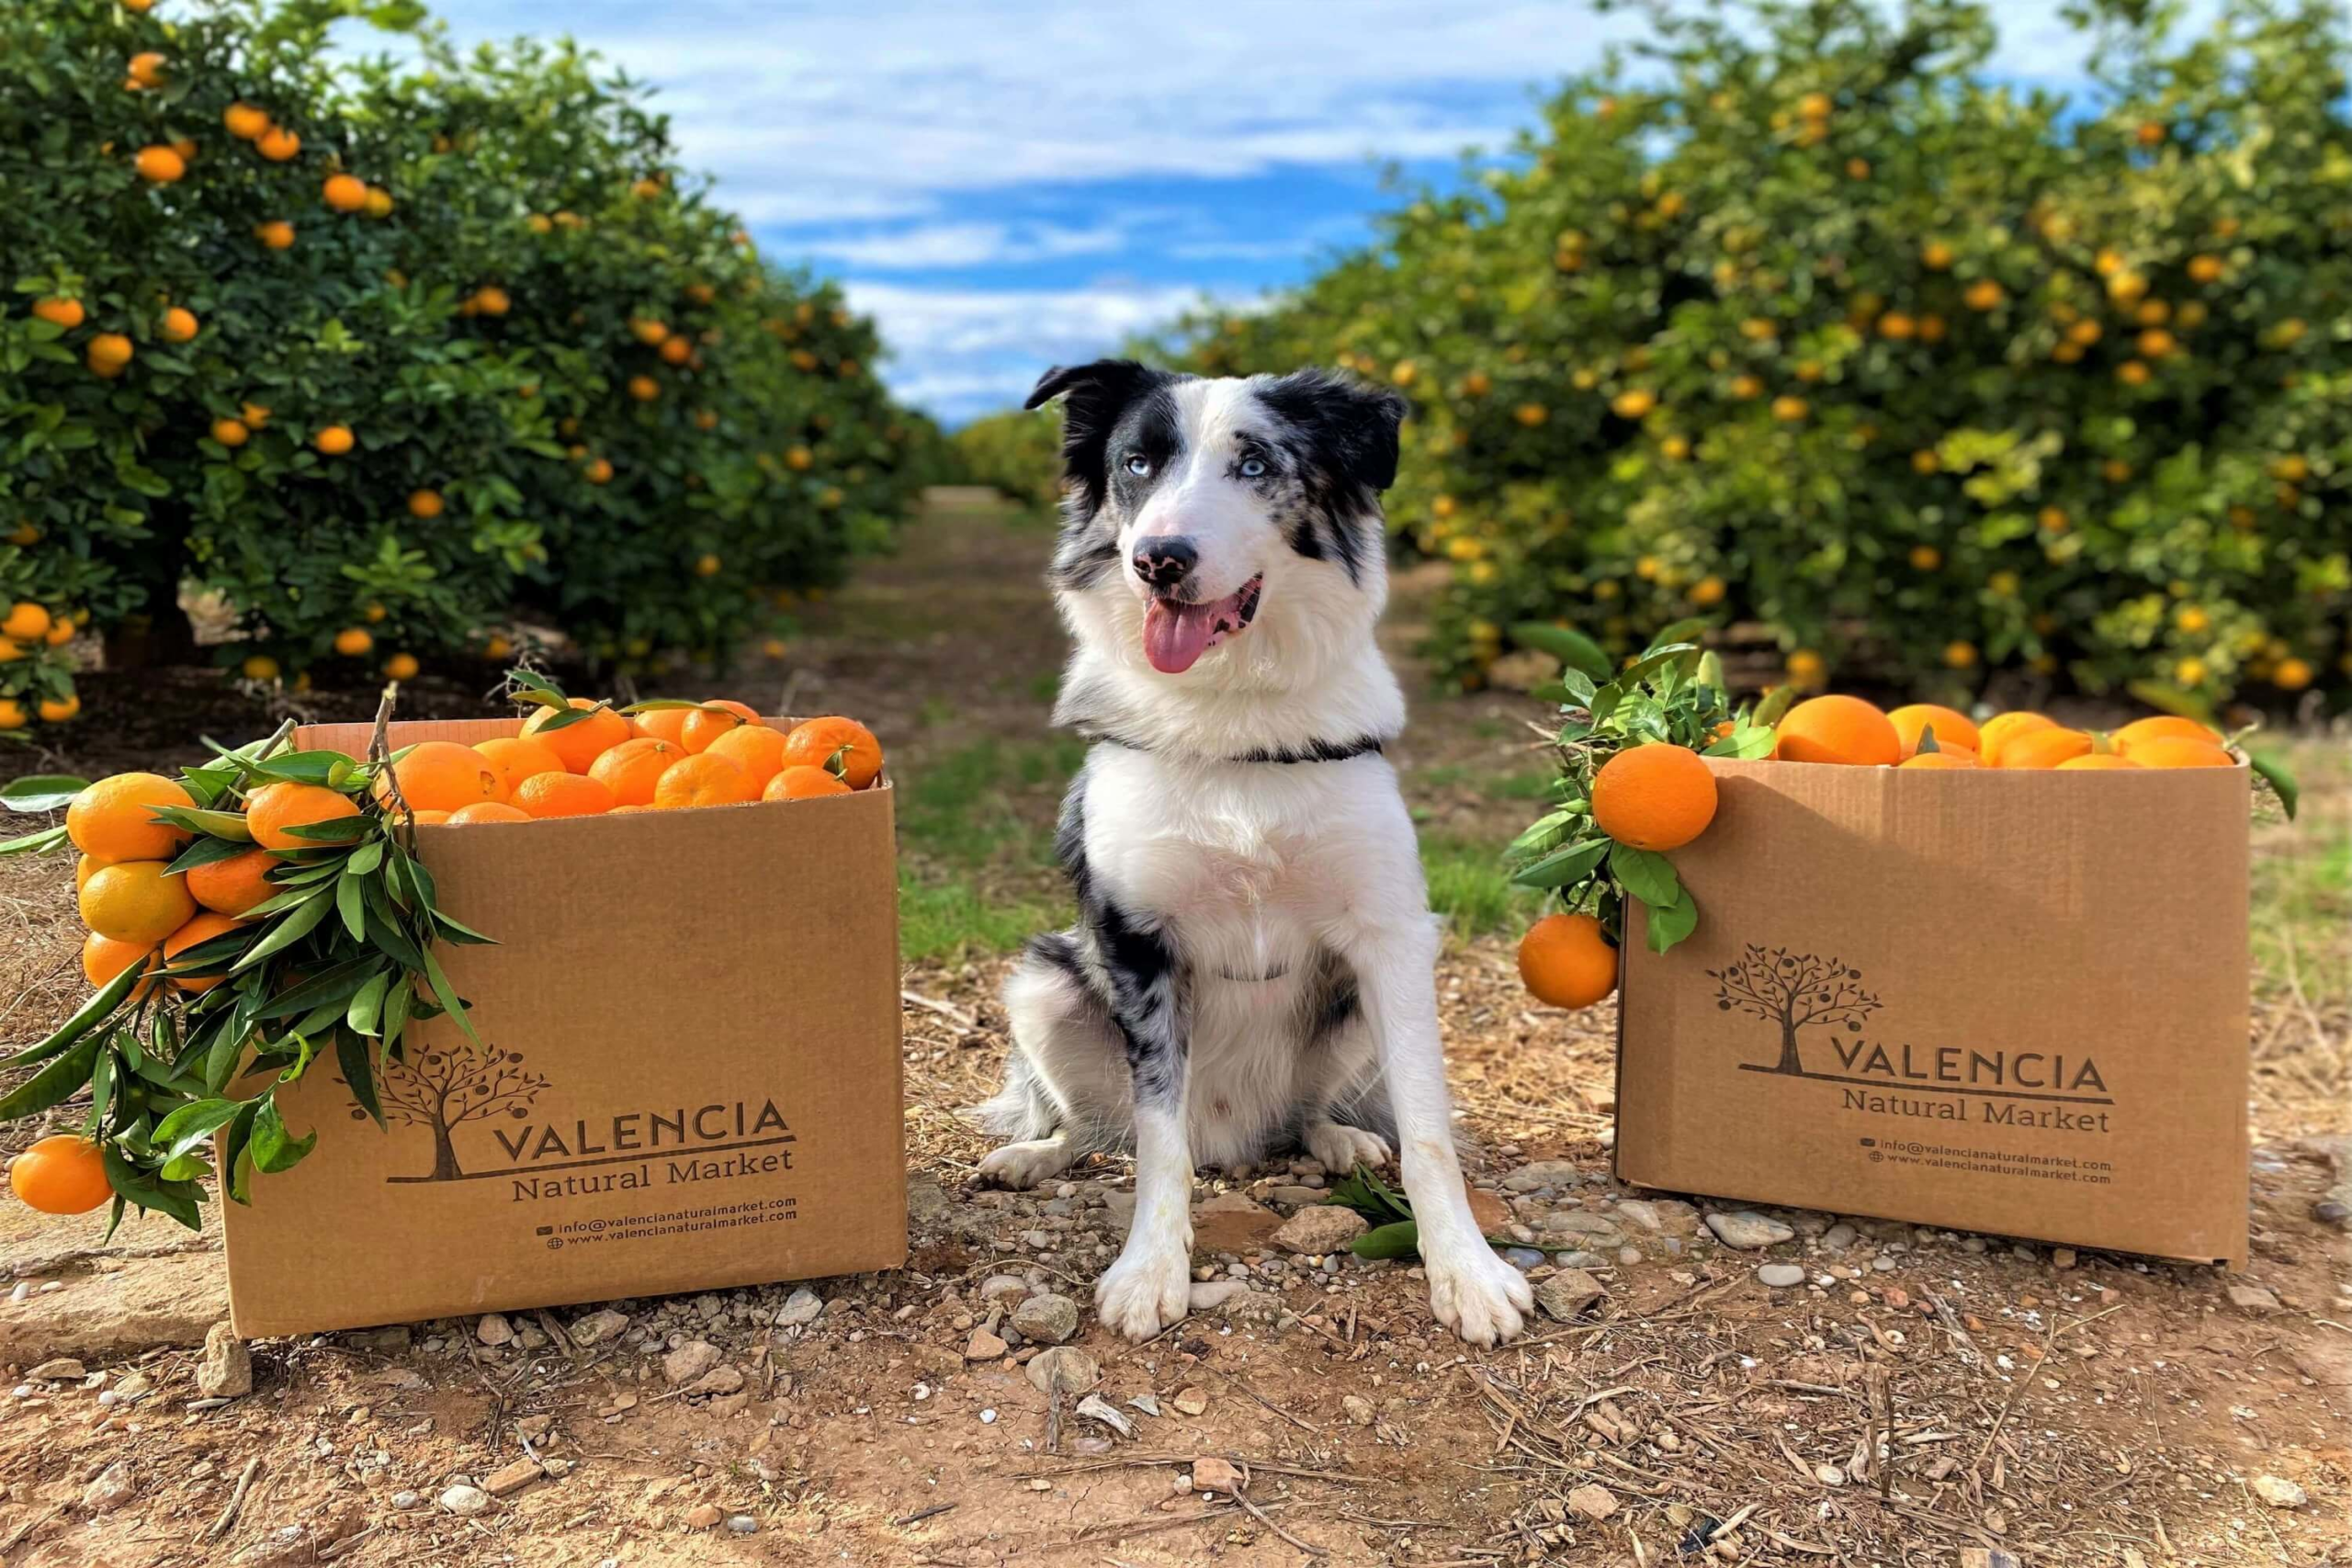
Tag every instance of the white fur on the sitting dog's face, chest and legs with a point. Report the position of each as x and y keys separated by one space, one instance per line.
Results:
x=1250 y=871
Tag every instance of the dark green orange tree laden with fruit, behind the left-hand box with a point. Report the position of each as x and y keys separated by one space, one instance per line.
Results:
x=399 y=356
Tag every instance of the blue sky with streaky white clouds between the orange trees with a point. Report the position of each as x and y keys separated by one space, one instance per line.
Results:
x=1017 y=185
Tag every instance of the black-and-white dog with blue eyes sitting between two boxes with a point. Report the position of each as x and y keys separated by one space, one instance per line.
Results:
x=1255 y=958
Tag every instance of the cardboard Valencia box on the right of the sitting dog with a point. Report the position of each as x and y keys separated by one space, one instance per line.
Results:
x=2003 y=1003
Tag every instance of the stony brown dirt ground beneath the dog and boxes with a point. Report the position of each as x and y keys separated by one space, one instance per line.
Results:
x=1920 y=1398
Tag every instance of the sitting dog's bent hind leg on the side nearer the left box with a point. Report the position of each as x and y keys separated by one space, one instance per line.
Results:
x=1067 y=1078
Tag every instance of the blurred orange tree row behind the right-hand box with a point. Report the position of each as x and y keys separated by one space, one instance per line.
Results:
x=1803 y=321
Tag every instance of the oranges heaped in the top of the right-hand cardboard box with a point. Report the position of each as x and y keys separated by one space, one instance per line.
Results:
x=1845 y=730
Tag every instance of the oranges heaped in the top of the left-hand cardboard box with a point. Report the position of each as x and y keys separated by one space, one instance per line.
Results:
x=610 y=763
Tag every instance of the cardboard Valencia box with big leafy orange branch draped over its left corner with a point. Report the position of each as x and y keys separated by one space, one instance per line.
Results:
x=690 y=1076
